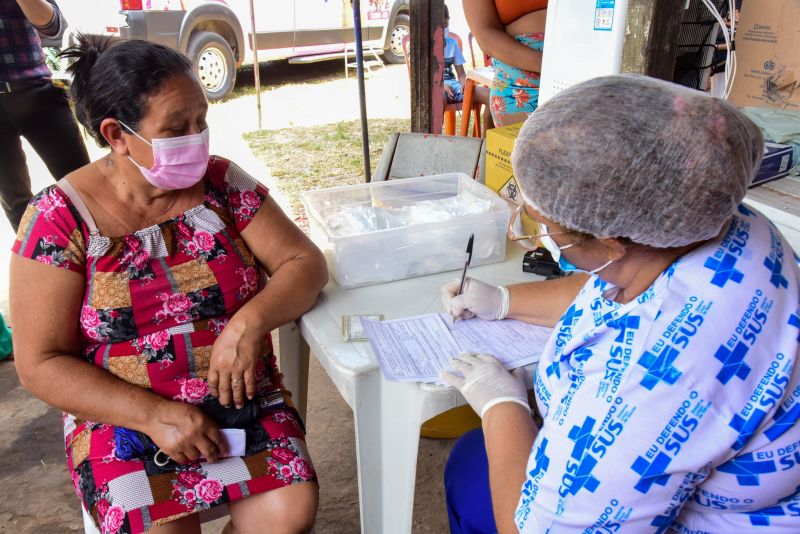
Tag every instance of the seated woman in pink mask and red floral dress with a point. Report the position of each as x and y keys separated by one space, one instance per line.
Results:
x=141 y=311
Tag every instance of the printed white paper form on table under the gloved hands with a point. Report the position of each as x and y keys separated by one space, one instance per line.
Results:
x=416 y=349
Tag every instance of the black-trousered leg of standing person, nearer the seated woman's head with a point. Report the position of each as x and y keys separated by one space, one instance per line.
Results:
x=53 y=132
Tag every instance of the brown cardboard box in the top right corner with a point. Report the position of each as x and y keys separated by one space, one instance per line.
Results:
x=768 y=55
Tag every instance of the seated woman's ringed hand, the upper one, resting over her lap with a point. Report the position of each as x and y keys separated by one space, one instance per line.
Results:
x=232 y=373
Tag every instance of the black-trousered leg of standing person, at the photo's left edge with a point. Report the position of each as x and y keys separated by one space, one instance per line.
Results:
x=15 y=183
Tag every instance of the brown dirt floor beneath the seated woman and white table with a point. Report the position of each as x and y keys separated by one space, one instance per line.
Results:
x=39 y=498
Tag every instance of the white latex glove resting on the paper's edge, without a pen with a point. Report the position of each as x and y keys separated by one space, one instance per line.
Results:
x=485 y=382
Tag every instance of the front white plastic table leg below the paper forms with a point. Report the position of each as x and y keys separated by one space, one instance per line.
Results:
x=387 y=441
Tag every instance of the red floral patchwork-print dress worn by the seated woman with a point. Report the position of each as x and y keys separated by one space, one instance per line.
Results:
x=155 y=302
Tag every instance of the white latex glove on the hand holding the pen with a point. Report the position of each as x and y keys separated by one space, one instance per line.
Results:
x=479 y=298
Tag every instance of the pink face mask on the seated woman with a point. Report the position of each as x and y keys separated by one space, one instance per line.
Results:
x=178 y=162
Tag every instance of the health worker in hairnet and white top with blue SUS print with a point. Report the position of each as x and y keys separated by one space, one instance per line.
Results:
x=670 y=387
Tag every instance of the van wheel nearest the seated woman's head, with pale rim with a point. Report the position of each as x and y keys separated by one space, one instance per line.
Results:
x=214 y=64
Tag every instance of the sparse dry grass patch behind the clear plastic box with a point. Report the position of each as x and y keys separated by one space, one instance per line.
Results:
x=315 y=157
